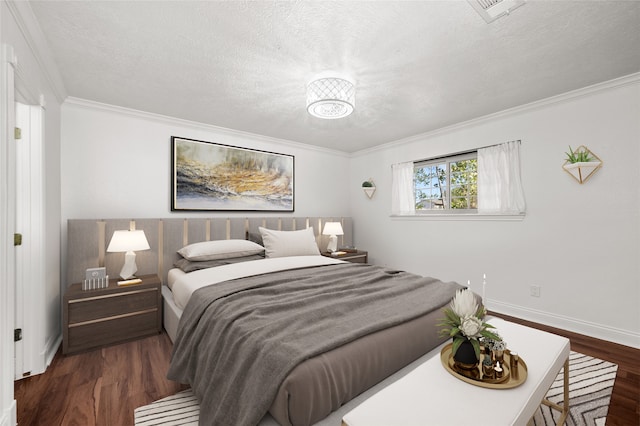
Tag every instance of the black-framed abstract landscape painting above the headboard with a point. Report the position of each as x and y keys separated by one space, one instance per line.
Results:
x=207 y=176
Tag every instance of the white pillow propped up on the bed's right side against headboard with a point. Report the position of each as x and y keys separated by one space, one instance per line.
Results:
x=289 y=243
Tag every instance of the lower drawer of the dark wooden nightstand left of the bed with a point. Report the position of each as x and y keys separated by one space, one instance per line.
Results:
x=107 y=331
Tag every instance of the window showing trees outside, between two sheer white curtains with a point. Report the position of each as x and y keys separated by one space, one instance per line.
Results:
x=447 y=183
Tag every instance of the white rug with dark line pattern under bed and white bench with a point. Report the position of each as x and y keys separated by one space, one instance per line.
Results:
x=590 y=386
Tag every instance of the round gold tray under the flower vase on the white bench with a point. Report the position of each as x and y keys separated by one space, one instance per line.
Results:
x=474 y=376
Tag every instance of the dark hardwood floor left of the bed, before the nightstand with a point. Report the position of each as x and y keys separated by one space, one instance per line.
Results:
x=100 y=387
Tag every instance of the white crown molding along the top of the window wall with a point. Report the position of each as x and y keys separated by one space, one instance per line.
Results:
x=627 y=80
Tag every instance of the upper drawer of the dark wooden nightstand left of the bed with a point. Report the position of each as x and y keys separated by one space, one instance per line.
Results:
x=111 y=305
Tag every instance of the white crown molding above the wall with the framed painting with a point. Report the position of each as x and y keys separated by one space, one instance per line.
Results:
x=165 y=119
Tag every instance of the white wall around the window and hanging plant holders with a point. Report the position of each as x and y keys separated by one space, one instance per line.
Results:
x=580 y=243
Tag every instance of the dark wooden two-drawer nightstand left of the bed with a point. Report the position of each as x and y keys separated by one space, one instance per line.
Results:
x=95 y=318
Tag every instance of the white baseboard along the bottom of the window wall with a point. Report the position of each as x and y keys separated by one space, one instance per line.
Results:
x=598 y=331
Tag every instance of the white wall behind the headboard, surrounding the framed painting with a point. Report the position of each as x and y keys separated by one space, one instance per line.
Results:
x=116 y=163
